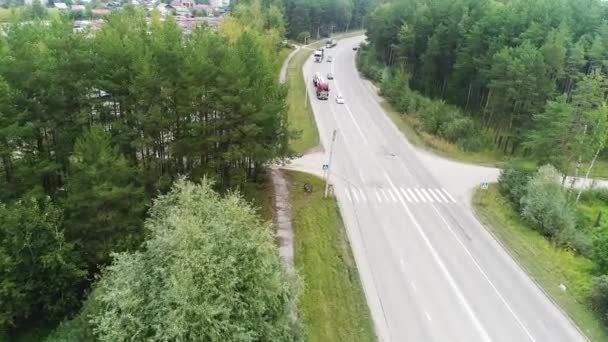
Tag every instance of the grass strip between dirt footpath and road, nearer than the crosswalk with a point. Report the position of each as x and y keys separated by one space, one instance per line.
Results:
x=332 y=305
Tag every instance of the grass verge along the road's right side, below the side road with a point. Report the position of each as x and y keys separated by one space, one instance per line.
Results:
x=548 y=264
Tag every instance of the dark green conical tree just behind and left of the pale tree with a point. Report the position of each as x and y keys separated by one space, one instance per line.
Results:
x=105 y=201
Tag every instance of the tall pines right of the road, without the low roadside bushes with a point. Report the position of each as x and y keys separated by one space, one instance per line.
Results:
x=505 y=61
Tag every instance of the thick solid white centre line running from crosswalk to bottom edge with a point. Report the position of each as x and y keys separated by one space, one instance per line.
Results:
x=443 y=268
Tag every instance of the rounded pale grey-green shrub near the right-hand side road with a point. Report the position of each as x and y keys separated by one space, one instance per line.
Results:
x=544 y=204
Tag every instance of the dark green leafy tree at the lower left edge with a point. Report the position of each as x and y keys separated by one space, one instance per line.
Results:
x=40 y=272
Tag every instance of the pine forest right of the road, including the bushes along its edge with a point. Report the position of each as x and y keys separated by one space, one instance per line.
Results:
x=529 y=76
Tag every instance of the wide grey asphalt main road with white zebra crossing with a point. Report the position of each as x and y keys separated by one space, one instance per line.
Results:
x=430 y=271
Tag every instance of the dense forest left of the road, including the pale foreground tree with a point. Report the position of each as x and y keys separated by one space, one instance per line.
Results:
x=94 y=127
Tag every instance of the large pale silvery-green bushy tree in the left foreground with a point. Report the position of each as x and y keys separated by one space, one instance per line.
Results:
x=209 y=272
